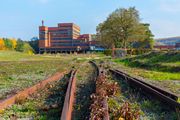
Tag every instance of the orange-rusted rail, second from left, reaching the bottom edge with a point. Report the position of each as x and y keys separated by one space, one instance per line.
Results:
x=69 y=98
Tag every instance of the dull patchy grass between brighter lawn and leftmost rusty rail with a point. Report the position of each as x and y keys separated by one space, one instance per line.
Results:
x=15 y=76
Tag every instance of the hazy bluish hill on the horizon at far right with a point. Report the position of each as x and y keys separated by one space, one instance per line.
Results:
x=168 y=41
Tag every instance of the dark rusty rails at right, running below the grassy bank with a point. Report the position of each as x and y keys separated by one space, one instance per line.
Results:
x=161 y=94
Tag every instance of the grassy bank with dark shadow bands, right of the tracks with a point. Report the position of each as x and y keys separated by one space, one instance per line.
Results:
x=155 y=66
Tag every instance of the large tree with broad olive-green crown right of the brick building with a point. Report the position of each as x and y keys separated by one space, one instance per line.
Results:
x=122 y=28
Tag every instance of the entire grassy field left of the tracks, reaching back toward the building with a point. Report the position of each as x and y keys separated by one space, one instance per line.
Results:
x=20 y=70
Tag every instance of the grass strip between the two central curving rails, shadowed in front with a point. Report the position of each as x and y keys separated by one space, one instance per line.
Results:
x=85 y=86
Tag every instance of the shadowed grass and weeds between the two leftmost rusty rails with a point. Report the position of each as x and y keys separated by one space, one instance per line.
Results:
x=46 y=104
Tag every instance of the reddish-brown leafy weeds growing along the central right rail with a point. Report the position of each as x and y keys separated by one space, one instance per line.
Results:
x=104 y=91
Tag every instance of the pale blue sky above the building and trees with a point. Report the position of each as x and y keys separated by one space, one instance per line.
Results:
x=21 y=18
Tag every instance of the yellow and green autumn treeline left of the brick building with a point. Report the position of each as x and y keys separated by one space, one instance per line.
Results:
x=16 y=44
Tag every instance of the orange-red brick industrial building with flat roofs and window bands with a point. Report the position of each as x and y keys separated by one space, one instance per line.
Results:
x=65 y=37
